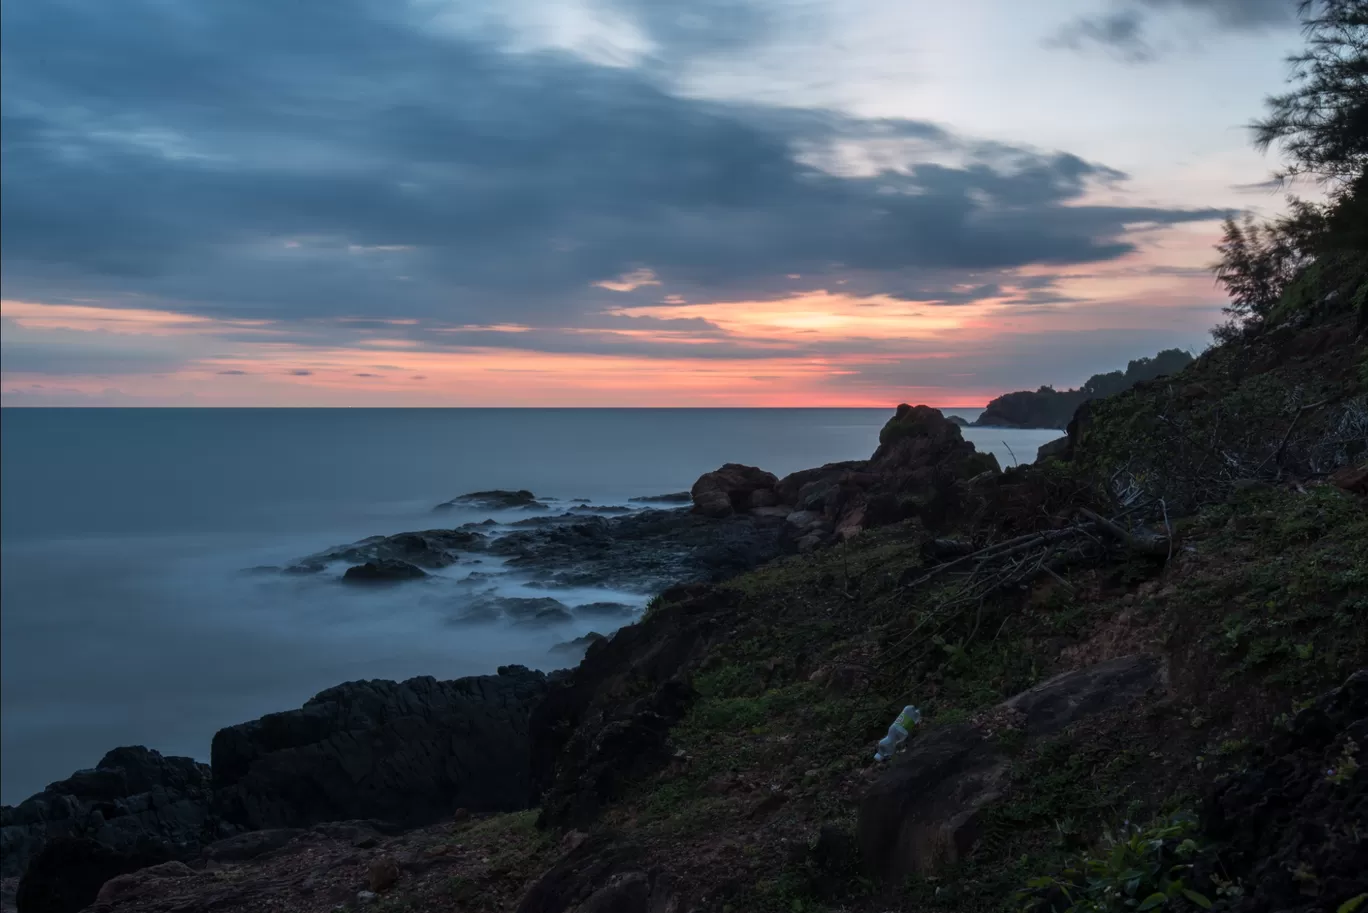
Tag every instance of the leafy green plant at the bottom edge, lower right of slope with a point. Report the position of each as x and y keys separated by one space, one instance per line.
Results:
x=1139 y=869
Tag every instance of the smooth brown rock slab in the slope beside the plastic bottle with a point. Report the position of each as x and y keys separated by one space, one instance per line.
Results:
x=925 y=811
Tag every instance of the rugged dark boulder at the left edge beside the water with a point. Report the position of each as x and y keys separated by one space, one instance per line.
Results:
x=133 y=800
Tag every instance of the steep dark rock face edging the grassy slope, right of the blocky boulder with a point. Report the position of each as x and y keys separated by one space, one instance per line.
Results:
x=589 y=744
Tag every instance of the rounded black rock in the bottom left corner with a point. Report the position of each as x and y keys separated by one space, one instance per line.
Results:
x=68 y=873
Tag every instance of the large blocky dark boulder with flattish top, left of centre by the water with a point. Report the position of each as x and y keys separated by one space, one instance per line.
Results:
x=406 y=752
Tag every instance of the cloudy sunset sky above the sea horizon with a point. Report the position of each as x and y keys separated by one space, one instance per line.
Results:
x=616 y=203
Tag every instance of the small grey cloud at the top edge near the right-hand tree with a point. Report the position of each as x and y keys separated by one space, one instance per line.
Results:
x=1125 y=31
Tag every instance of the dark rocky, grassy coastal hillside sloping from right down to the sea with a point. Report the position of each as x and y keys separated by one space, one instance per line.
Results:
x=1125 y=645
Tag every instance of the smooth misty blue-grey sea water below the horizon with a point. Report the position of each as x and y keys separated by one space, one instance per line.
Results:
x=125 y=611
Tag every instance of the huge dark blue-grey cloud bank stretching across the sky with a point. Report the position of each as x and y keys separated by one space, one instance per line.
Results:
x=328 y=159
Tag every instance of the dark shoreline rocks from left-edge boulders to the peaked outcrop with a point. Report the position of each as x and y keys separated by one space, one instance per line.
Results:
x=407 y=755
